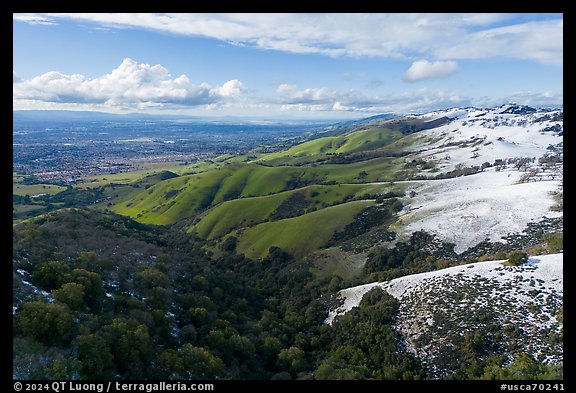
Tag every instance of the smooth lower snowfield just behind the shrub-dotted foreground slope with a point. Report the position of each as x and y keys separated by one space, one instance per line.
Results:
x=469 y=209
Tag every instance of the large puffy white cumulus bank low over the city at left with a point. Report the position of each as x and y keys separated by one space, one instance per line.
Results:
x=131 y=84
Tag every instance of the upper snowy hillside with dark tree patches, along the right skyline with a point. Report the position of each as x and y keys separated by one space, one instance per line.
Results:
x=475 y=136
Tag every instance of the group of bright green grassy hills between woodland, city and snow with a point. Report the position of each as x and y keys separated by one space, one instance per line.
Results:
x=294 y=199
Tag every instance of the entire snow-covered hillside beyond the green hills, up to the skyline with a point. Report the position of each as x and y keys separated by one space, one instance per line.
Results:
x=517 y=152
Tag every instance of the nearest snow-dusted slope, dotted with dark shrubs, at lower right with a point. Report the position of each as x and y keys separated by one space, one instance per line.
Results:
x=514 y=306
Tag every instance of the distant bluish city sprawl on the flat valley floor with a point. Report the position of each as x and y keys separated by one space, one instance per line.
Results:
x=62 y=151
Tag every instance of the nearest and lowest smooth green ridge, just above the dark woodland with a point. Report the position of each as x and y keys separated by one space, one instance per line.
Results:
x=298 y=235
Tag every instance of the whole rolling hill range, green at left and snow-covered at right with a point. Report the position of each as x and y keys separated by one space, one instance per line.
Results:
x=422 y=158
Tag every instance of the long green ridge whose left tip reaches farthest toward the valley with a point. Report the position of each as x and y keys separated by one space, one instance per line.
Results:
x=174 y=199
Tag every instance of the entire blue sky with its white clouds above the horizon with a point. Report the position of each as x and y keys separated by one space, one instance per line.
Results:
x=321 y=66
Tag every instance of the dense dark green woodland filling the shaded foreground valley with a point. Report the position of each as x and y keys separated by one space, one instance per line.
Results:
x=100 y=296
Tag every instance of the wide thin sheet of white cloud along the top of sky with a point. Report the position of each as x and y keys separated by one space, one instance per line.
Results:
x=437 y=36
